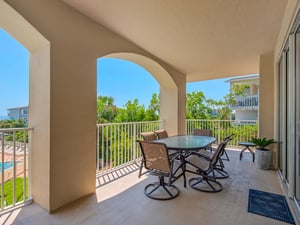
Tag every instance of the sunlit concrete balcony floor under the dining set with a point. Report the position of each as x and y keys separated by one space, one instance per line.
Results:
x=122 y=201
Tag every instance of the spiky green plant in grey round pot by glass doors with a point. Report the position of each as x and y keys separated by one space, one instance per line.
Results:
x=263 y=155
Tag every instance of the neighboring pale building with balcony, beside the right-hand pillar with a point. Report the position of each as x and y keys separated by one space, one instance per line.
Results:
x=246 y=107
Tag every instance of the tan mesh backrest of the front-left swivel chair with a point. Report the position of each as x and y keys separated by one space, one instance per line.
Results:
x=155 y=156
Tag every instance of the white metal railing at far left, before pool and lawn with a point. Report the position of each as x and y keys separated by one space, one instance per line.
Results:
x=14 y=151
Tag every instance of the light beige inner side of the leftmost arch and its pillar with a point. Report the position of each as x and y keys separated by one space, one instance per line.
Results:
x=39 y=98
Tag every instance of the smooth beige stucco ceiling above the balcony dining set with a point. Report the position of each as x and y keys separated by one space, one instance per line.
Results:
x=204 y=39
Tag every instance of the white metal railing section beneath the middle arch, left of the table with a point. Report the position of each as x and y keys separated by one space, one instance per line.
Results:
x=116 y=143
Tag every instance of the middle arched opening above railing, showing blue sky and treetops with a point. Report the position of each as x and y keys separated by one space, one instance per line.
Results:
x=126 y=92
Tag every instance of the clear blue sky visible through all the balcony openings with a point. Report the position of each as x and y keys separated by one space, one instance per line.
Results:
x=120 y=79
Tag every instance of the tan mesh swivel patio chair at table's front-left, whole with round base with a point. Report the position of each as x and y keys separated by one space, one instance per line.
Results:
x=157 y=162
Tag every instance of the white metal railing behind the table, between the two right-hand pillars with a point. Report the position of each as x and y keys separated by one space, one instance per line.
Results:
x=243 y=130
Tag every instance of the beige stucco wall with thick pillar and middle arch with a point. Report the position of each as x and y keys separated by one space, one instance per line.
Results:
x=64 y=139
